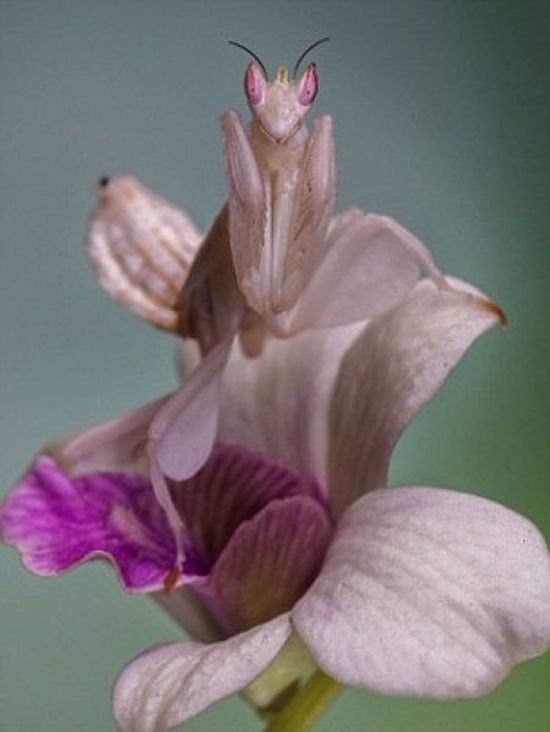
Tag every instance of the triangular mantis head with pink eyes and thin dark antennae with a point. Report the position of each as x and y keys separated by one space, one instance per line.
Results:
x=279 y=107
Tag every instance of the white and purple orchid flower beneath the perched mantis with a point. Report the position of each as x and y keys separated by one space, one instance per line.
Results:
x=296 y=551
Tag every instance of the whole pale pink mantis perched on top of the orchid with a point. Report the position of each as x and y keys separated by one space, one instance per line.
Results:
x=273 y=262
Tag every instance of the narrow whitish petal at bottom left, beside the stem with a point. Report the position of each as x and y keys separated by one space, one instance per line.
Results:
x=165 y=686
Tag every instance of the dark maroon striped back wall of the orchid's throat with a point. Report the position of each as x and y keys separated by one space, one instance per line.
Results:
x=231 y=488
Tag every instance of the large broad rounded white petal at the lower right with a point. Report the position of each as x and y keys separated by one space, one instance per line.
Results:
x=428 y=592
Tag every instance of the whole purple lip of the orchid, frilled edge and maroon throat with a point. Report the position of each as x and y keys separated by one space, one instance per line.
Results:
x=58 y=522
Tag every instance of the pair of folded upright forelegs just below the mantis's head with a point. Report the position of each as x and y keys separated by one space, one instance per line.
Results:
x=278 y=214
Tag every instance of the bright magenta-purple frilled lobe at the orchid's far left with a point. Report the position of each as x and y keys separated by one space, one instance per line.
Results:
x=57 y=522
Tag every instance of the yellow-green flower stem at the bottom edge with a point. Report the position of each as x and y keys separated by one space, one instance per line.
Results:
x=307 y=705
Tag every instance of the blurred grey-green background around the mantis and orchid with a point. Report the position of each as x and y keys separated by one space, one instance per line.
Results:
x=442 y=112
